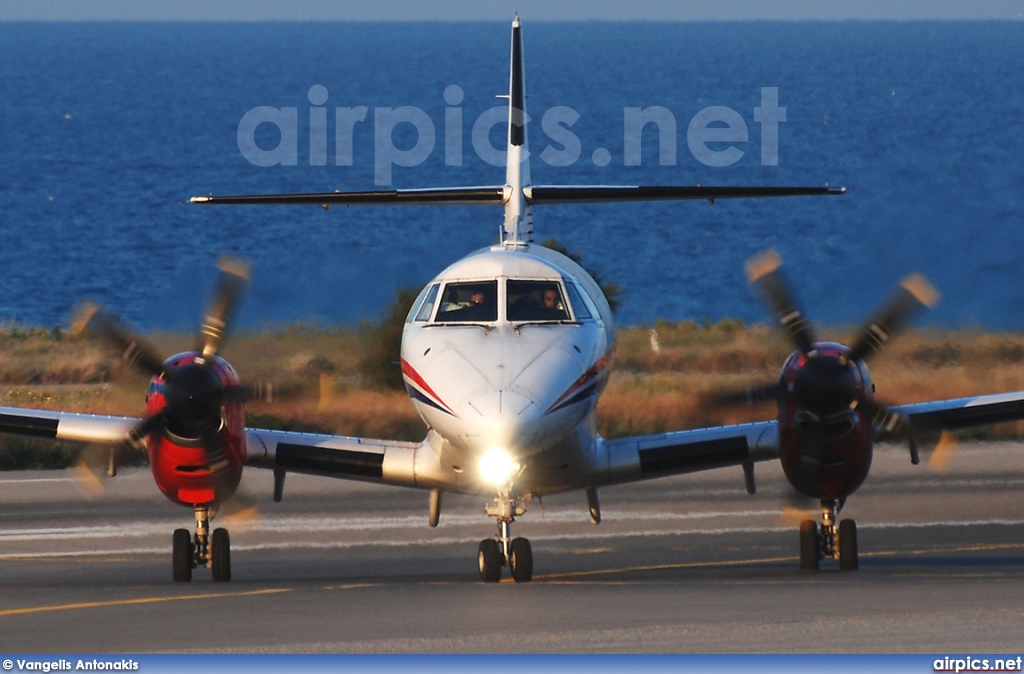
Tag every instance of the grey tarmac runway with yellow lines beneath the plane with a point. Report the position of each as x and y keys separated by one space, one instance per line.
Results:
x=687 y=565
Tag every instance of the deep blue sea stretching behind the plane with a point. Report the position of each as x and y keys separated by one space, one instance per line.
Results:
x=108 y=130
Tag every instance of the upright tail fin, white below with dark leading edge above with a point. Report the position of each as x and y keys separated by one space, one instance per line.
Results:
x=519 y=219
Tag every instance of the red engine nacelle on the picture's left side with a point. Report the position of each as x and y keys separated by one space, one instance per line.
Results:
x=188 y=471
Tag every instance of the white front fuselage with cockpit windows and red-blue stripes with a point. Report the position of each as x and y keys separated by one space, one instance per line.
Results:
x=505 y=355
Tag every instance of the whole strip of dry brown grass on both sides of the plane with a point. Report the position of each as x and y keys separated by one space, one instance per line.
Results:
x=660 y=375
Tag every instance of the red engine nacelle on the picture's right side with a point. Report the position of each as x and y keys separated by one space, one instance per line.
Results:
x=825 y=455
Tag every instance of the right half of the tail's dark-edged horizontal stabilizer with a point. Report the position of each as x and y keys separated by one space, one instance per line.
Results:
x=592 y=194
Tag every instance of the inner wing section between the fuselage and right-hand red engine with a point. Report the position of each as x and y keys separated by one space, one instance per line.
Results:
x=646 y=457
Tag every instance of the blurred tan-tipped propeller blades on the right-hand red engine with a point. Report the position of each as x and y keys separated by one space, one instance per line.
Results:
x=826 y=386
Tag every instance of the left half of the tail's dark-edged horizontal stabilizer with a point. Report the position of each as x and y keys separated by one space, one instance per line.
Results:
x=491 y=196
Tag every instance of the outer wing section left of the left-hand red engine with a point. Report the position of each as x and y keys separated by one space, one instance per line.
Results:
x=66 y=427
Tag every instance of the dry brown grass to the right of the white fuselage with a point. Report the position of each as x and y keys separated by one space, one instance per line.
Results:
x=662 y=388
